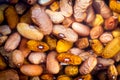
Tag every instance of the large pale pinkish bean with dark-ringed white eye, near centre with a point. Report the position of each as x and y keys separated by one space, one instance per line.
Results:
x=66 y=33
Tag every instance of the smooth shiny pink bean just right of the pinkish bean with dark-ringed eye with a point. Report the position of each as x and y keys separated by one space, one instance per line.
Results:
x=81 y=29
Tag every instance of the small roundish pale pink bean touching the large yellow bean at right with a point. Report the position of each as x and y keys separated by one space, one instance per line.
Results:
x=106 y=37
